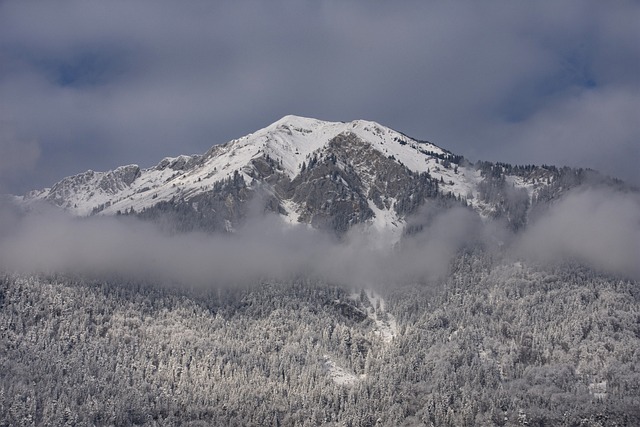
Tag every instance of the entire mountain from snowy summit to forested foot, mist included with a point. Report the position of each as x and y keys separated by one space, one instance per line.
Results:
x=529 y=317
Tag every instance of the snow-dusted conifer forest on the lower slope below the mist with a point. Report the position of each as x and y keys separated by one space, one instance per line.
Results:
x=495 y=342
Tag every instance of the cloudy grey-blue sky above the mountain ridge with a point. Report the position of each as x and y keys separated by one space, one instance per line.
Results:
x=93 y=85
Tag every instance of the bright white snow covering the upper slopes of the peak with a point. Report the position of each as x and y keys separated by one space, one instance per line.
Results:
x=290 y=142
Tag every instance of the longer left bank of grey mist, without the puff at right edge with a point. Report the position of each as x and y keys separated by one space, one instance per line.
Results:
x=264 y=249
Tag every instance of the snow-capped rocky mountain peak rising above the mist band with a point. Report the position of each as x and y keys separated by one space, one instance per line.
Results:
x=330 y=175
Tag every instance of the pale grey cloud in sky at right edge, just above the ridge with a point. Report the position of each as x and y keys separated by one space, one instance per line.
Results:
x=597 y=129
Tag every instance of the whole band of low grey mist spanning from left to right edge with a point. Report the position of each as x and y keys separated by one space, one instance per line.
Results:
x=595 y=227
